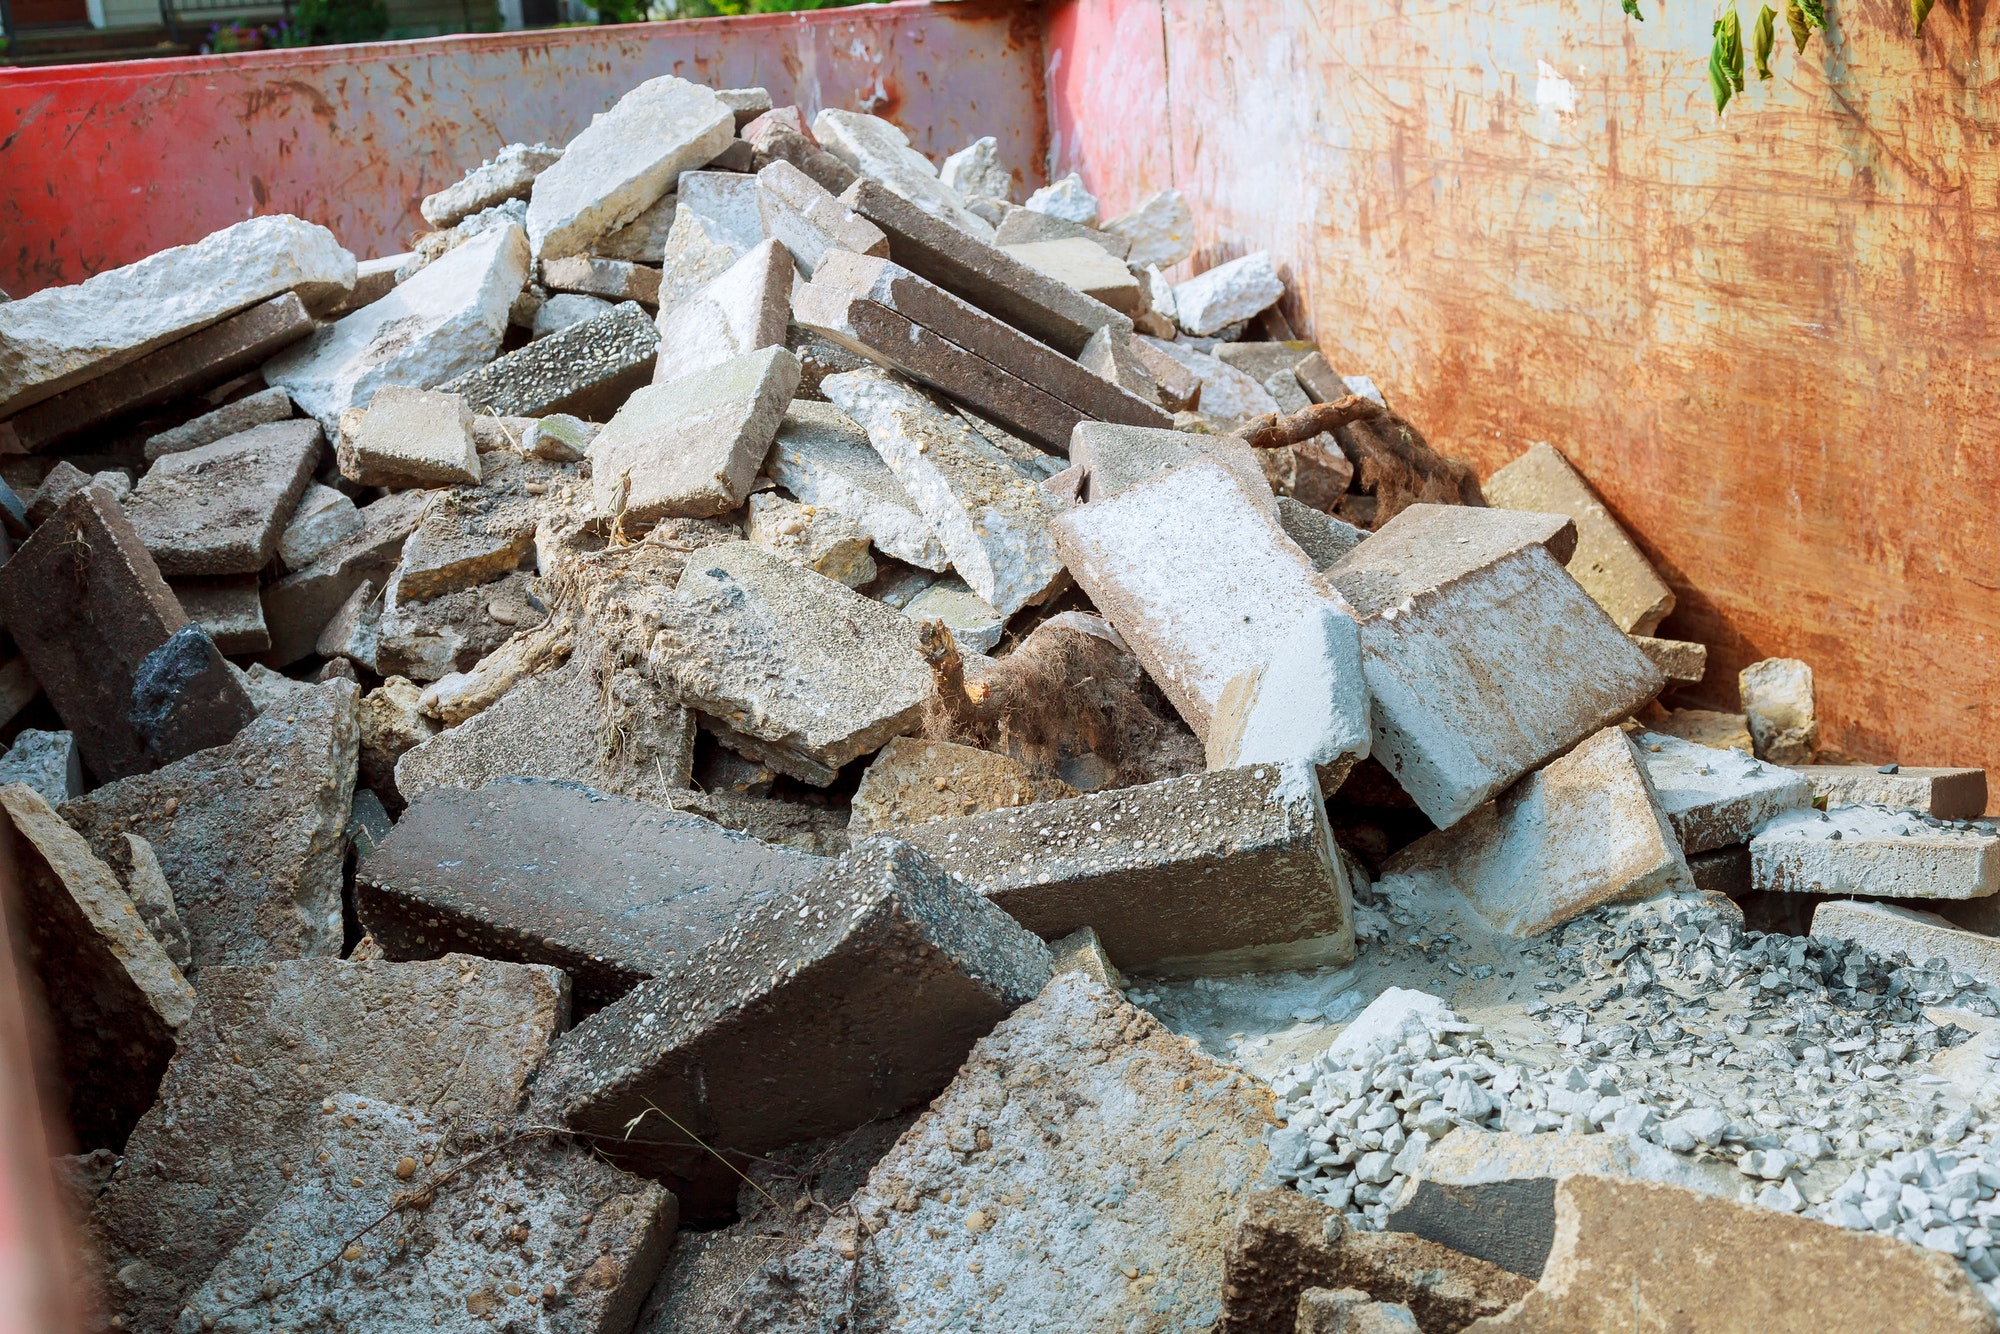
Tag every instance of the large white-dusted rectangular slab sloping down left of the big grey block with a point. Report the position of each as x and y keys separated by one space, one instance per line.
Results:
x=1225 y=615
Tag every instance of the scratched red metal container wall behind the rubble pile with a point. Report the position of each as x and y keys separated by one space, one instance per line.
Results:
x=105 y=165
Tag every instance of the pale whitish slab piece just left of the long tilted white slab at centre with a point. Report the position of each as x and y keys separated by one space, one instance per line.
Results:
x=825 y=459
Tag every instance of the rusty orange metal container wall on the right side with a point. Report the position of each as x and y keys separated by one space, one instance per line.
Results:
x=1769 y=341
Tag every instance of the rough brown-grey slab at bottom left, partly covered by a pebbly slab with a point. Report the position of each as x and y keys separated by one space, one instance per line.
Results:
x=259 y=1065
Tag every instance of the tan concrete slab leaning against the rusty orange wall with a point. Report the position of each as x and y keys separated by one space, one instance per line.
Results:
x=1607 y=563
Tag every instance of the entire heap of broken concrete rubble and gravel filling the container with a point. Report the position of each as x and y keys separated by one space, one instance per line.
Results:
x=757 y=737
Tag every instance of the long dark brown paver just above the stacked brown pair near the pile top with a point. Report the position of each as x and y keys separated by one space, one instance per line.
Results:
x=983 y=275
